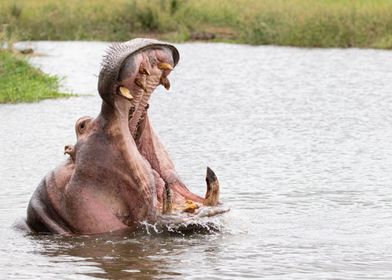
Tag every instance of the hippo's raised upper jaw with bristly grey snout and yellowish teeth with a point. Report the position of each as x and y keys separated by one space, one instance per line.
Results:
x=133 y=70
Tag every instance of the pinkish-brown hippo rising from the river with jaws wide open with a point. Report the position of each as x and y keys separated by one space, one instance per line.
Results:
x=118 y=175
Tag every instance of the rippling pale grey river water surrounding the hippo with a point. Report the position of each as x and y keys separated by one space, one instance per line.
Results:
x=300 y=139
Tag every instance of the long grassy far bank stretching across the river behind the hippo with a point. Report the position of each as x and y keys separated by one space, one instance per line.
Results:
x=309 y=23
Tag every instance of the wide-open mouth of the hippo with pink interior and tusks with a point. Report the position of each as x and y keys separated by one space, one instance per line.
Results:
x=140 y=74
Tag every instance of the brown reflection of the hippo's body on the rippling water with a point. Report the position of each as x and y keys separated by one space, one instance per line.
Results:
x=115 y=257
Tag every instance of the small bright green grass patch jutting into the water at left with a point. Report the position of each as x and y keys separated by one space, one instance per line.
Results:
x=20 y=82
